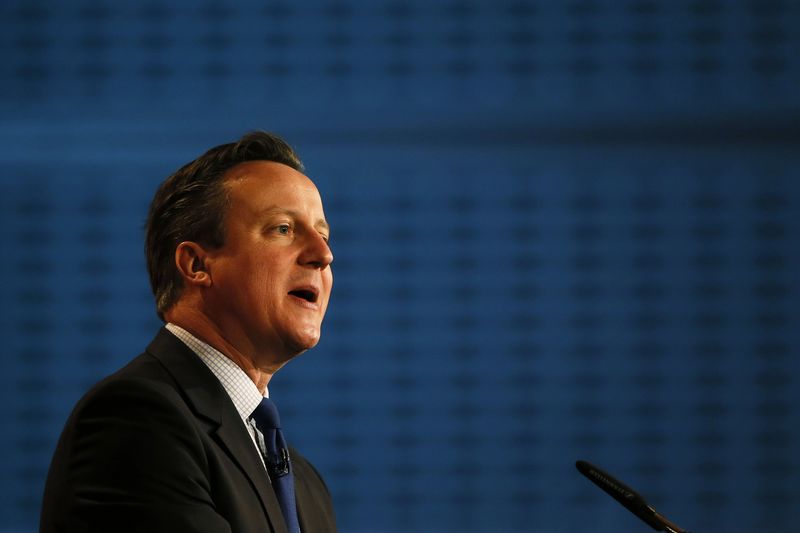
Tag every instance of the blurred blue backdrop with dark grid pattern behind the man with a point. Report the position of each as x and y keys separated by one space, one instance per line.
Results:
x=562 y=230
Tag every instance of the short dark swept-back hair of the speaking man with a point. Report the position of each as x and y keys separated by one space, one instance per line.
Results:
x=190 y=205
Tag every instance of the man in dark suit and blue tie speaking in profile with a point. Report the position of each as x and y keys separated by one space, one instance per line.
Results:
x=239 y=262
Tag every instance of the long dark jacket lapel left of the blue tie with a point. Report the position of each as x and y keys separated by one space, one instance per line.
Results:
x=209 y=400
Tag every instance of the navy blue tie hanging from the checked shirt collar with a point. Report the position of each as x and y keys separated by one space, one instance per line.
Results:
x=276 y=459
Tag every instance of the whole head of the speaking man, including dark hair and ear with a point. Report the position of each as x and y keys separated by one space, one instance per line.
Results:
x=239 y=236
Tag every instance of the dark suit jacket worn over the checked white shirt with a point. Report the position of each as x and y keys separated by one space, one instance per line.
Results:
x=159 y=447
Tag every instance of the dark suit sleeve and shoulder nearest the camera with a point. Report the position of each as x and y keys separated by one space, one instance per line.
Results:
x=132 y=451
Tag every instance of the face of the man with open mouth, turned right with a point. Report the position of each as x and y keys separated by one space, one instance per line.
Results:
x=271 y=280
